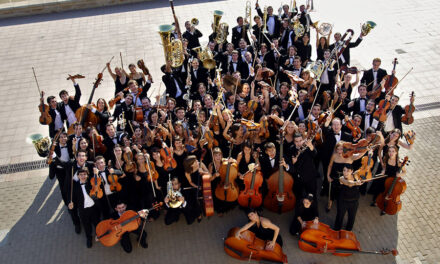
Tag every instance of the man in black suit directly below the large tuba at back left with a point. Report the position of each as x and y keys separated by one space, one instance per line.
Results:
x=175 y=88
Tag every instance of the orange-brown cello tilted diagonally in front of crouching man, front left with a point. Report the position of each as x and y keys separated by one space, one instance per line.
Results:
x=109 y=232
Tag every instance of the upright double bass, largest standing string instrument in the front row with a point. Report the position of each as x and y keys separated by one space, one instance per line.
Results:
x=280 y=197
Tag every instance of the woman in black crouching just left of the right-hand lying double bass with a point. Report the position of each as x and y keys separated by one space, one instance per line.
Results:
x=306 y=210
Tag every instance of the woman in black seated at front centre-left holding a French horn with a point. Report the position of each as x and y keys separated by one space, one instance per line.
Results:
x=191 y=211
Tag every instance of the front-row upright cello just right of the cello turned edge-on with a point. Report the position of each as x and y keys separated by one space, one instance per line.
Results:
x=227 y=189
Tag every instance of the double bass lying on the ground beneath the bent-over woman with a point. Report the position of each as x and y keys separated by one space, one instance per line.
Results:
x=250 y=244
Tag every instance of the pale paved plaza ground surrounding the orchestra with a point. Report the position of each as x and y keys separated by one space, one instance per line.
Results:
x=34 y=227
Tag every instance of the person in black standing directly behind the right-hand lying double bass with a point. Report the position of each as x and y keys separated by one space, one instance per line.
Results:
x=348 y=200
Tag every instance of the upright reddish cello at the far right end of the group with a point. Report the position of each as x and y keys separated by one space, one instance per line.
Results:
x=389 y=201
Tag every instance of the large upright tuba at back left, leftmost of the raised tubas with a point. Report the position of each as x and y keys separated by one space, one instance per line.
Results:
x=173 y=49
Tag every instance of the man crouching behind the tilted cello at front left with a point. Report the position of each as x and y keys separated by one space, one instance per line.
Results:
x=120 y=209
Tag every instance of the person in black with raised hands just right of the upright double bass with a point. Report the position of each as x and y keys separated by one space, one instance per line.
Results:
x=303 y=166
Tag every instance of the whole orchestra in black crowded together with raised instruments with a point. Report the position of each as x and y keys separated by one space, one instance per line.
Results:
x=256 y=123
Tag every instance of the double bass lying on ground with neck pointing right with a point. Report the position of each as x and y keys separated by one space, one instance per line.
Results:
x=320 y=238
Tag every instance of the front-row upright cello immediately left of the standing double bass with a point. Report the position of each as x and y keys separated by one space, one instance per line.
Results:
x=250 y=197
